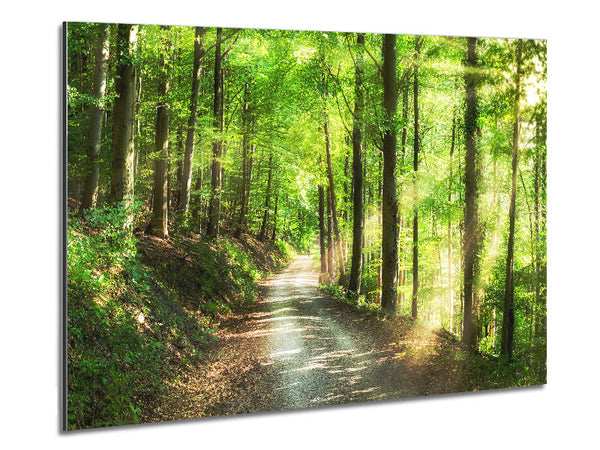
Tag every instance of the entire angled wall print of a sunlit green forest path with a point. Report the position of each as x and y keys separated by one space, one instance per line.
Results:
x=262 y=220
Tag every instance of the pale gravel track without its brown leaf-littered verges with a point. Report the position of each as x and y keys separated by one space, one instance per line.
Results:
x=319 y=352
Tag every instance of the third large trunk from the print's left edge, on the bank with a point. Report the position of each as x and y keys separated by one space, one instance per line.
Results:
x=160 y=211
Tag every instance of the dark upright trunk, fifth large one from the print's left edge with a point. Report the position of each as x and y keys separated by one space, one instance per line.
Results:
x=214 y=209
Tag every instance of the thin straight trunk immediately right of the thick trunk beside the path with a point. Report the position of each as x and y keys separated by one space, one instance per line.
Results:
x=415 y=293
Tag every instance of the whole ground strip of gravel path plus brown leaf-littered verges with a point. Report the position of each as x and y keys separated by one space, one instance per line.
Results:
x=297 y=347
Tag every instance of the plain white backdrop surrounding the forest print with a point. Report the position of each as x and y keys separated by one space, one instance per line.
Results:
x=563 y=413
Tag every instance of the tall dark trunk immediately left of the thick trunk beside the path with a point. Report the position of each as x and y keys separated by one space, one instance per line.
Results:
x=357 y=175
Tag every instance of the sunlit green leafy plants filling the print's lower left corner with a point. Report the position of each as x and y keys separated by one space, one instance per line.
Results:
x=122 y=327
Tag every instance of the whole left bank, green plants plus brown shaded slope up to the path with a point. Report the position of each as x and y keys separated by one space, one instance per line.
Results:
x=131 y=318
